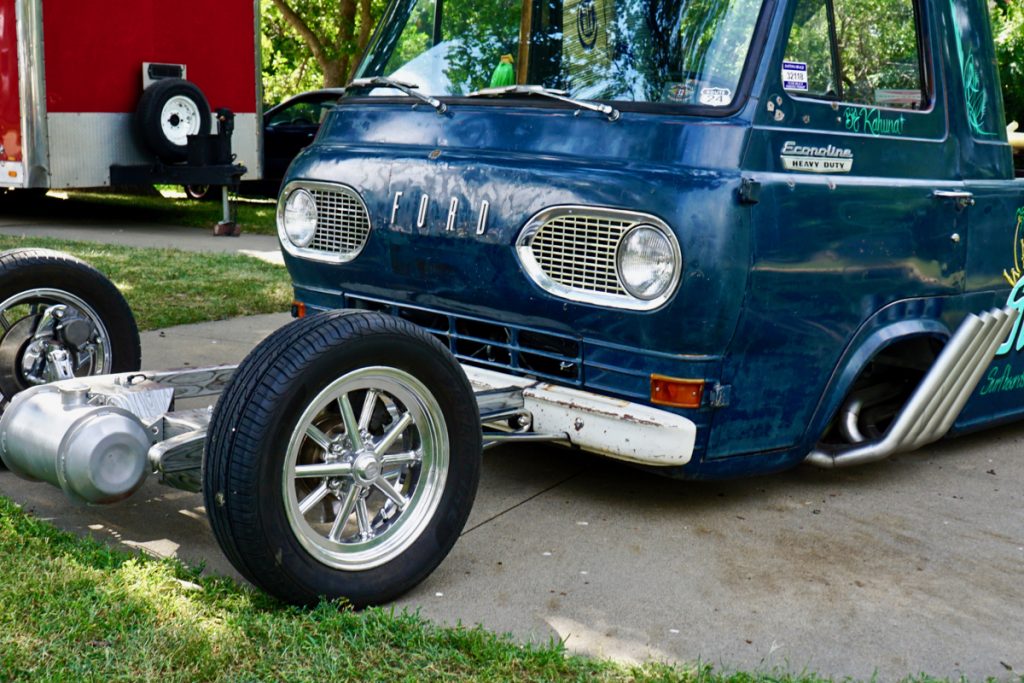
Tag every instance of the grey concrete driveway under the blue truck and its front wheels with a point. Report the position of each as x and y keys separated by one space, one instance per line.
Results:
x=910 y=566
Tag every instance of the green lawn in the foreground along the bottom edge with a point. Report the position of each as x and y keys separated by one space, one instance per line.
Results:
x=73 y=610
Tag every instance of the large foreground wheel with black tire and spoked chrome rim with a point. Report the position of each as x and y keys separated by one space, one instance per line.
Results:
x=344 y=459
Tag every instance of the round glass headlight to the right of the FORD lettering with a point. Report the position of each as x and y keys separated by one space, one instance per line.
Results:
x=647 y=263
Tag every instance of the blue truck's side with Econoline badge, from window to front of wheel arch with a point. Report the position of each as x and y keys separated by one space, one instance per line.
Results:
x=858 y=206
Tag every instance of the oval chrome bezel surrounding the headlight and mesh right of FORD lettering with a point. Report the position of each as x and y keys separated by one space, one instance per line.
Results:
x=627 y=222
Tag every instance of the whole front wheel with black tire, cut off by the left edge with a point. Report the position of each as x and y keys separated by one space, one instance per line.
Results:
x=60 y=318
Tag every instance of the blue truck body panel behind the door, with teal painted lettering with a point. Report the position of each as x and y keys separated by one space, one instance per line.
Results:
x=995 y=214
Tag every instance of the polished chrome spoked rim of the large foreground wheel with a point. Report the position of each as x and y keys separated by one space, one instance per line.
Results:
x=366 y=468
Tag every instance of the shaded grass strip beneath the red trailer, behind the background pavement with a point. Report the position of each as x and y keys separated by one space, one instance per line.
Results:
x=252 y=216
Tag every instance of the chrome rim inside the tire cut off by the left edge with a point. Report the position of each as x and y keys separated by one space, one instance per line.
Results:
x=50 y=335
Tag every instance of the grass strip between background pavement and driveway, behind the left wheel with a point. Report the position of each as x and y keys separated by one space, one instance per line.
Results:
x=166 y=287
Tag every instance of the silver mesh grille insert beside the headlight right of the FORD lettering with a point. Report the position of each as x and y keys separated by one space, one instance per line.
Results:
x=579 y=251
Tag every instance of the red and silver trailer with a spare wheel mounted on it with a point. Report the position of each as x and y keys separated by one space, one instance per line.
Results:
x=73 y=81
